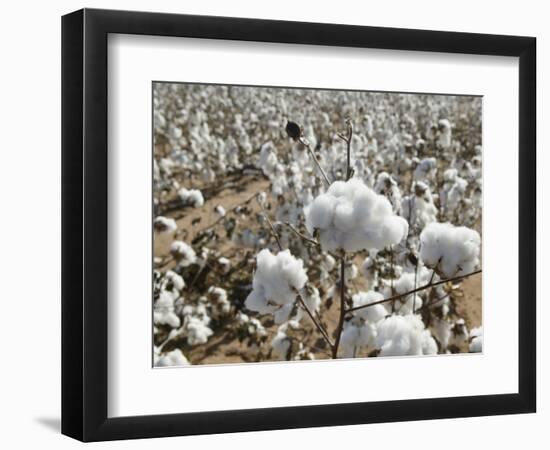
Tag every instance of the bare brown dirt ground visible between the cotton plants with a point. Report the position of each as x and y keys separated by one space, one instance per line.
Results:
x=224 y=346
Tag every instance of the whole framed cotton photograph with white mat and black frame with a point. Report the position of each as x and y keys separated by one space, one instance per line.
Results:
x=273 y=224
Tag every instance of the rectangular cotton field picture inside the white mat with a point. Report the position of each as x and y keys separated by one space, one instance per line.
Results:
x=294 y=224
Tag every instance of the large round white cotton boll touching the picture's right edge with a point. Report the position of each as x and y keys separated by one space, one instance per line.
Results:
x=450 y=250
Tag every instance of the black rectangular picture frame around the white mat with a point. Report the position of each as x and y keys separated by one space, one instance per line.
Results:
x=84 y=224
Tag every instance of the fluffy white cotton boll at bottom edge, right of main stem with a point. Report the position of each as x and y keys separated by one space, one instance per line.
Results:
x=402 y=335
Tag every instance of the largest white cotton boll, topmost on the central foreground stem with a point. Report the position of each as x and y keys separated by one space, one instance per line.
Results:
x=352 y=217
